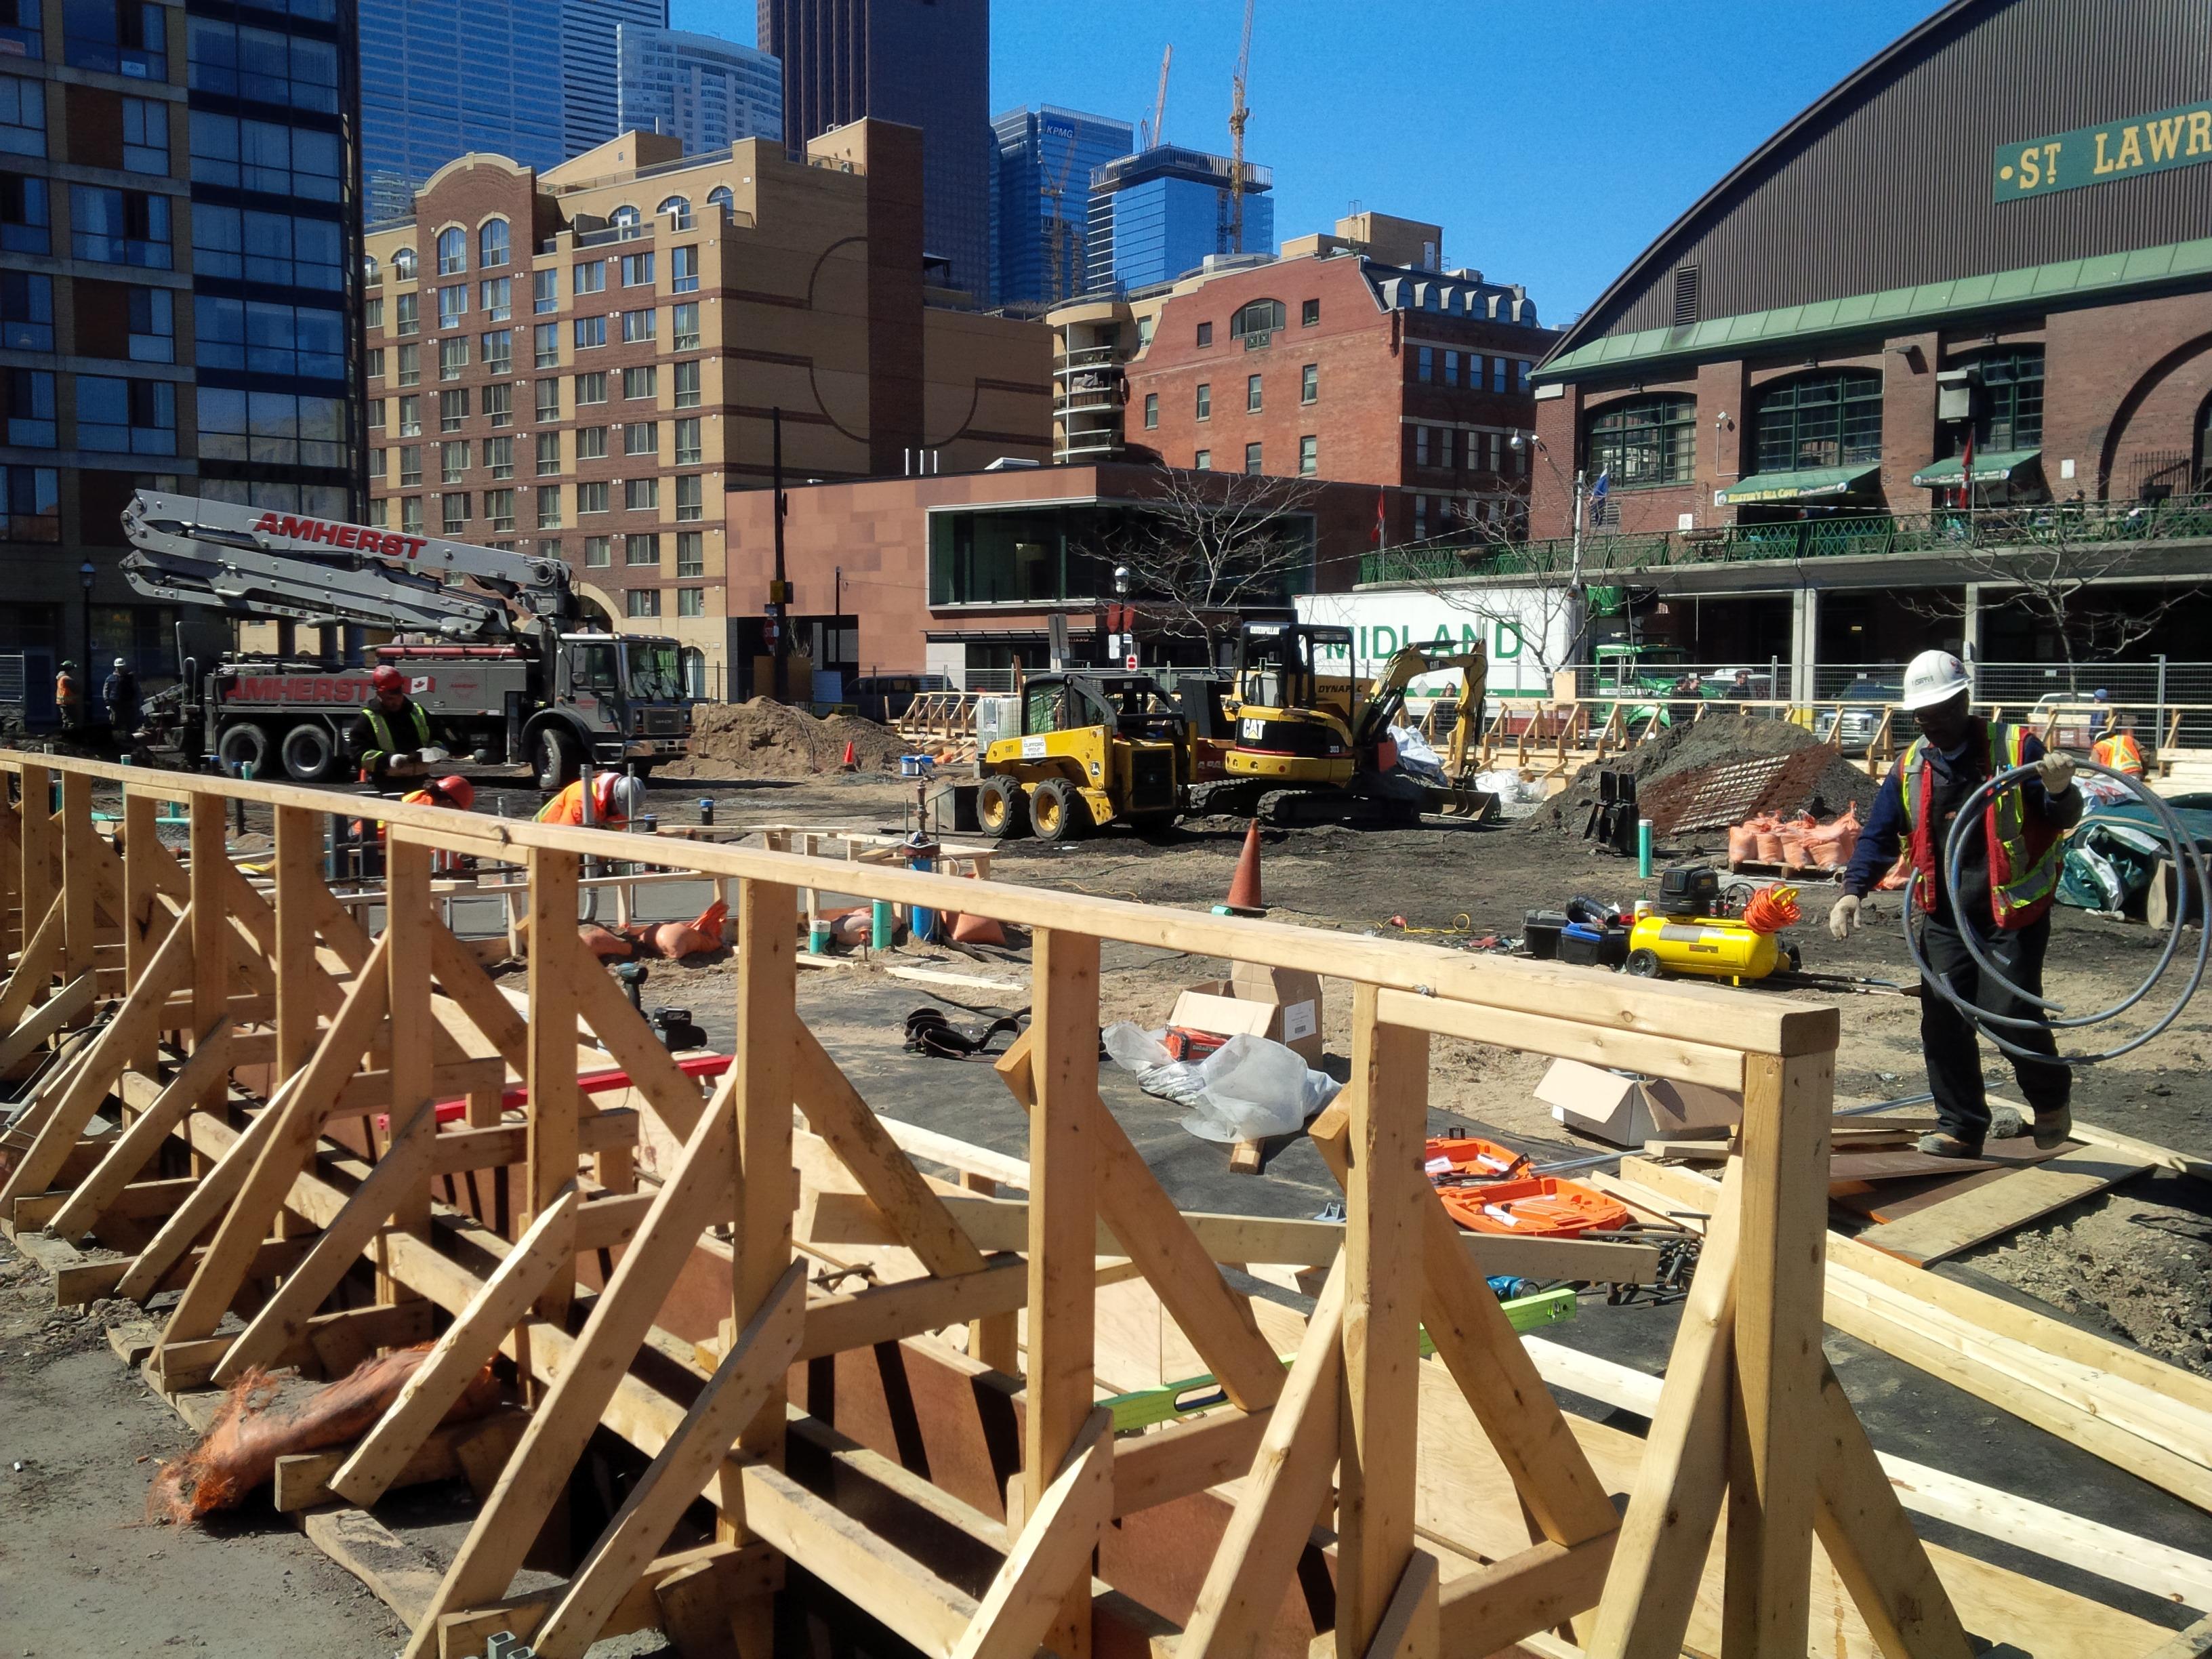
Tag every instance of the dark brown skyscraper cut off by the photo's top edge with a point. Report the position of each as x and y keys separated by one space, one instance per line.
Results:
x=926 y=63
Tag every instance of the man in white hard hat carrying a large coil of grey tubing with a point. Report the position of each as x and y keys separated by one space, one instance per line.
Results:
x=2007 y=879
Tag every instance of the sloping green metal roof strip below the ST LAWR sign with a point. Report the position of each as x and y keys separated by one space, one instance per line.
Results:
x=1890 y=311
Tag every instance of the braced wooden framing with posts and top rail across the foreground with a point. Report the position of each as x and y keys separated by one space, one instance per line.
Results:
x=348 y=1027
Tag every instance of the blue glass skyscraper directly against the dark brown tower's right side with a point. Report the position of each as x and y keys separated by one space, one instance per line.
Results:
x=1043 y=200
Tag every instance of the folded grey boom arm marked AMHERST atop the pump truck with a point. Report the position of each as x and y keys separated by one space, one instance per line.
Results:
x=258 y=563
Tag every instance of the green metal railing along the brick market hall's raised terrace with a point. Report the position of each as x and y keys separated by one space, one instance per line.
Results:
x=1861 y=536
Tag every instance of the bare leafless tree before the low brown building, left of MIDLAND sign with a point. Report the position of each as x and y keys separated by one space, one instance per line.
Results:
x=1207 y=547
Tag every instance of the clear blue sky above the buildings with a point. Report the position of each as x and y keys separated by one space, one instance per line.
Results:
x=1552 y=140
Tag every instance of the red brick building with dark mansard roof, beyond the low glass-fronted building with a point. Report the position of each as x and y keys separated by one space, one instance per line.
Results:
x=1353 y=359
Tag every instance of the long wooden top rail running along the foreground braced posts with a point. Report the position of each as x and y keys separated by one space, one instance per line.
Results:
x=1556 y=1010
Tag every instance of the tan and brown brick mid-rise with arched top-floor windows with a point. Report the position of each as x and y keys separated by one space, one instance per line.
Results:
x=589 y=359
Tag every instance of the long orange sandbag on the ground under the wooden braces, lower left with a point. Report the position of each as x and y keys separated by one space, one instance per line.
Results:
x=251 y=1432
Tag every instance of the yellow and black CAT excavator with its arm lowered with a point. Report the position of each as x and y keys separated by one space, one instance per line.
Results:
x=1313 y=744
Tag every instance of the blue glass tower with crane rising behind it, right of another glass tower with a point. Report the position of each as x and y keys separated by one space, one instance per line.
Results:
x=1160 y=213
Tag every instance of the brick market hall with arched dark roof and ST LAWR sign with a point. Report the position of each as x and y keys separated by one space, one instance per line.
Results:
x=1795 y=371
